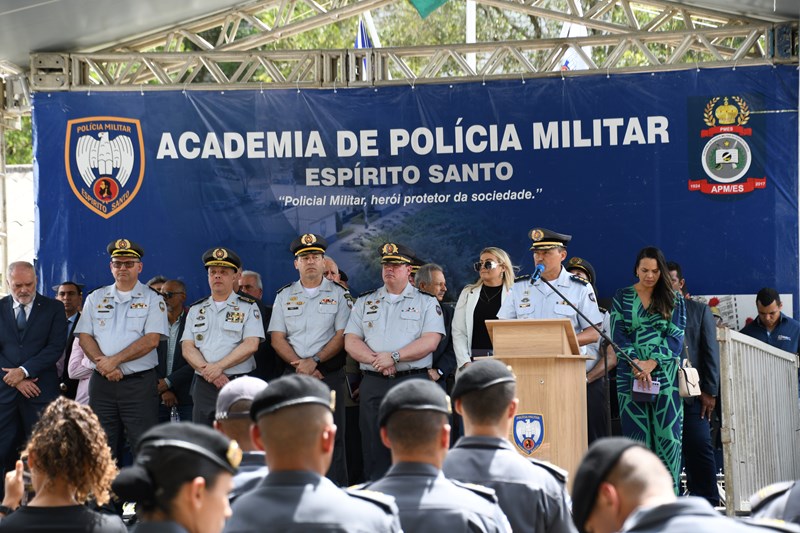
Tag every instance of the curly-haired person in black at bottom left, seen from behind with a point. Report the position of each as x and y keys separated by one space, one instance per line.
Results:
x=69 y=461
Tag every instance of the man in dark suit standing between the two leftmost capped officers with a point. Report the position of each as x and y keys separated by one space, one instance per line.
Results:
x=174 y=374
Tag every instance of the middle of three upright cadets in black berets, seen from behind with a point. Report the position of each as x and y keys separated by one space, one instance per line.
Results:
x=414 y=424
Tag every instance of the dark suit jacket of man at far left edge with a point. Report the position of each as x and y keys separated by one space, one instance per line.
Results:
x=37 y=348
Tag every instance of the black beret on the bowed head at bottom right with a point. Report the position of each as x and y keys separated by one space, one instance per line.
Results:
x=603 y=454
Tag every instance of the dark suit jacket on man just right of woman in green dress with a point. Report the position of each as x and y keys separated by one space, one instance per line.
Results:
x=701 y=340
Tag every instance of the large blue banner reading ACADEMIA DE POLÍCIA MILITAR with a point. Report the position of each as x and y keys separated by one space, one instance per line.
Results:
x=702 y=163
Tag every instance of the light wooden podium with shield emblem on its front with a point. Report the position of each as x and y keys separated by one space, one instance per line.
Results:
x=551 y=386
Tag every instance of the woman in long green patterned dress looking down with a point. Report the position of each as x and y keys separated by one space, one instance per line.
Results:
x=647 y=322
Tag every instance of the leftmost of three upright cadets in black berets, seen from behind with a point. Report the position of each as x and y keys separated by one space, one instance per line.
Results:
x=294 y=426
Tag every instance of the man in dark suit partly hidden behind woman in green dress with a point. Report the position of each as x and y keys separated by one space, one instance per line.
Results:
x=701 y=342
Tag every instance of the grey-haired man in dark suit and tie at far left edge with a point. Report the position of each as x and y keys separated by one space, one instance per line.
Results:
x=33 y=330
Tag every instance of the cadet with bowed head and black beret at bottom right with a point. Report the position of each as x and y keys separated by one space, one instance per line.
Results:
x=622 y=486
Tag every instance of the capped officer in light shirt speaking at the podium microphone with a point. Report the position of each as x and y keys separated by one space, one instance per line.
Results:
x=534 y=299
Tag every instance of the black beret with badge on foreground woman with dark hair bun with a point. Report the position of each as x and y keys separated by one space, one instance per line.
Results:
x=193 y=438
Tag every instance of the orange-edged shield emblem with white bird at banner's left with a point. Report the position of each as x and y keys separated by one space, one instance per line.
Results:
x=104 y=159
